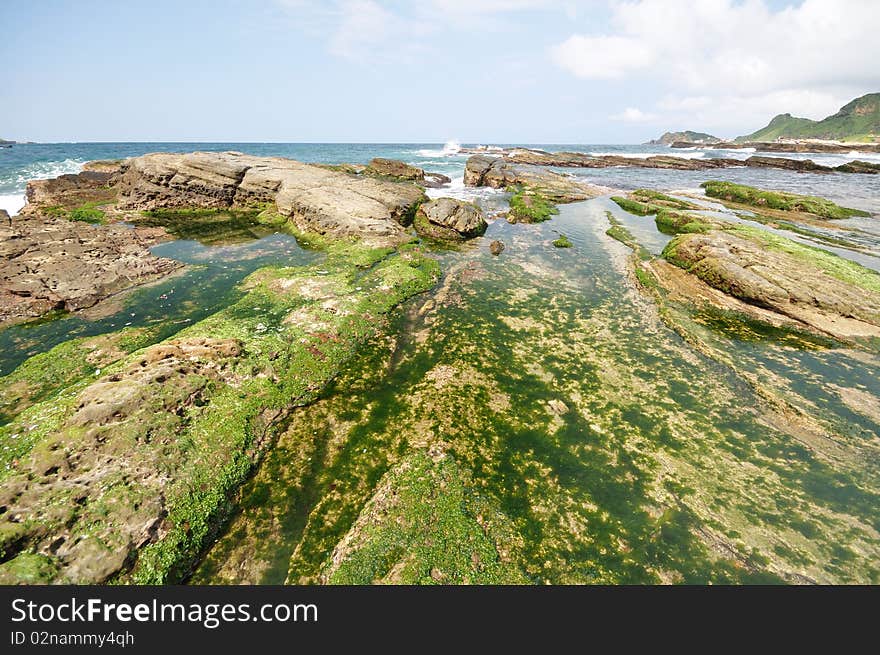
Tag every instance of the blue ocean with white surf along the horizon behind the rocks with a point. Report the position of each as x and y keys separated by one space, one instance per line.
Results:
x=25 y=162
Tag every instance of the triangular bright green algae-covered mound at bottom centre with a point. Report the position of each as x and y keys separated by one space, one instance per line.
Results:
x=426 y=524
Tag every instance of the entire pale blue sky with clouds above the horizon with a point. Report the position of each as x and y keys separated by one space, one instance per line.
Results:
x=475 y=71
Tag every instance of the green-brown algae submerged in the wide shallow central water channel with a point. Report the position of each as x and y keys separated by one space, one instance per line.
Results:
x=614 y=452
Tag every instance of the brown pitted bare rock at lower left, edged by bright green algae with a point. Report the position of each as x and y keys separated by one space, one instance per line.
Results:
x=107 y=467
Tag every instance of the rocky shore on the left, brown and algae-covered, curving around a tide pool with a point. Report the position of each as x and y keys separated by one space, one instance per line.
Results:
x=125 y=458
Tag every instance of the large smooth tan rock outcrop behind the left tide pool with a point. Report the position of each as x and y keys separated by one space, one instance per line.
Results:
x=315 y=199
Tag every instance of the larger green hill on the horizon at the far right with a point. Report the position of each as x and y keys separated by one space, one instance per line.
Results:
x=858 y=120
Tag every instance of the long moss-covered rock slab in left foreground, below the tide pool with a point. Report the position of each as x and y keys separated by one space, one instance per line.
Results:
x=125 y=474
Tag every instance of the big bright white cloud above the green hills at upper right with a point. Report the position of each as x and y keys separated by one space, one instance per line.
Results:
x=736 y=60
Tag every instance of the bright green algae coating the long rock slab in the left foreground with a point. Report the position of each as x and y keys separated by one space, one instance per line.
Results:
x=222 y=425
